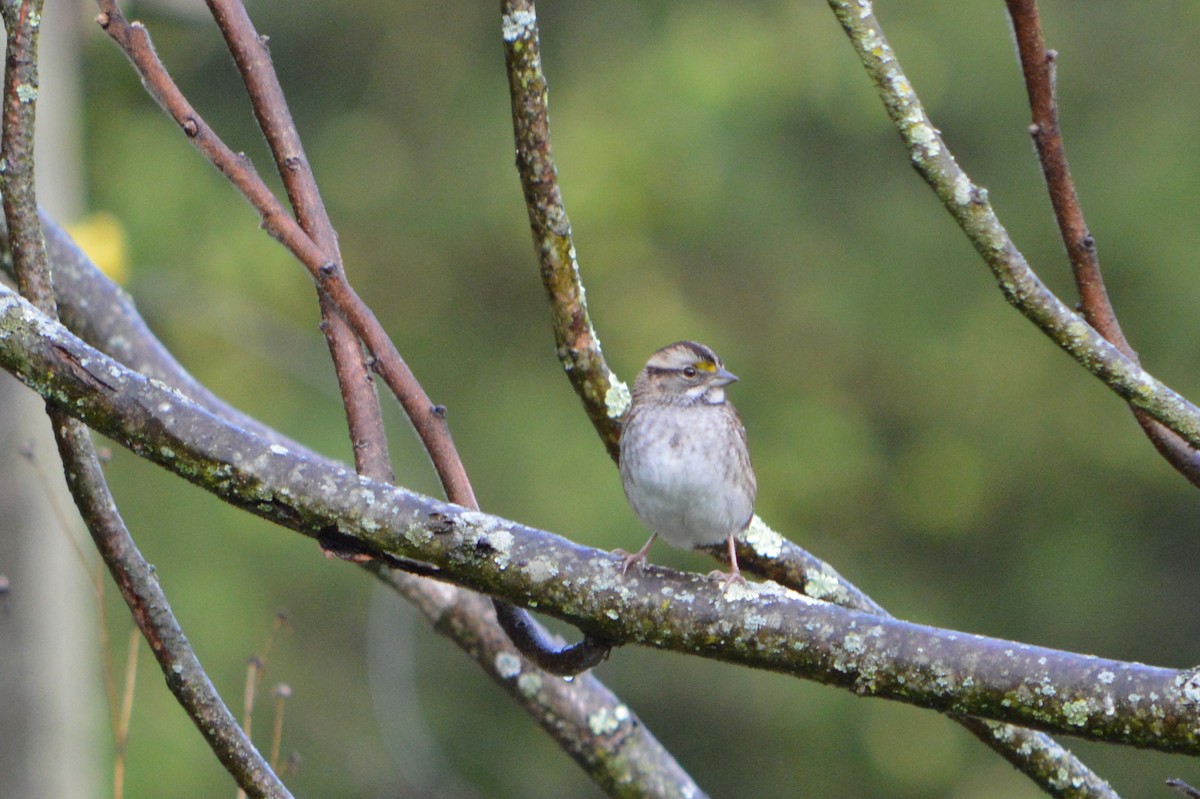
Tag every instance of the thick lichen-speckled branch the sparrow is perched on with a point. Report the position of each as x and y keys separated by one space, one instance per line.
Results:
x=759 y=626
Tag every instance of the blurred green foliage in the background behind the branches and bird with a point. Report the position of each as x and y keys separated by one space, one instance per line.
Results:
x=731 y=178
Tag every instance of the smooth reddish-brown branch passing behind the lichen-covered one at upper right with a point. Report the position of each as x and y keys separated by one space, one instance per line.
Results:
x=1039 y=68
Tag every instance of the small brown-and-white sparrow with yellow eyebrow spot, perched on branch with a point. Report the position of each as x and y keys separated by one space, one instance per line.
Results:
x=685 y=462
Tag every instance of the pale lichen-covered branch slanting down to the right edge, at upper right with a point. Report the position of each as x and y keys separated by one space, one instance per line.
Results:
x=968 y=203
